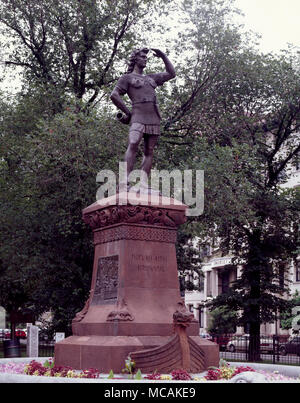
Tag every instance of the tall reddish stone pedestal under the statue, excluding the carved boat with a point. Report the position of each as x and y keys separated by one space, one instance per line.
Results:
x=135 y=288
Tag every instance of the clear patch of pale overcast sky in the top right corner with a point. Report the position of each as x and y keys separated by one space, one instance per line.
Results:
x=278 y=21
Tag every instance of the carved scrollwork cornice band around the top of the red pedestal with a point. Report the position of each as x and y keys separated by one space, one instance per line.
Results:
x=134 y=214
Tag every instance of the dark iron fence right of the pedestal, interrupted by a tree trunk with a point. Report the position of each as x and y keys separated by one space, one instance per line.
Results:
x=272 y=349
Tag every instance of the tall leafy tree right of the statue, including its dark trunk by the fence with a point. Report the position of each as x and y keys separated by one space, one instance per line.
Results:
x=237 y=111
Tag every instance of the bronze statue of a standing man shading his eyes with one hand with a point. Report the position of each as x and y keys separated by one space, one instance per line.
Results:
x=144 y=118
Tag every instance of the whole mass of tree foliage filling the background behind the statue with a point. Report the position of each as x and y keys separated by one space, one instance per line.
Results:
x=232 y=112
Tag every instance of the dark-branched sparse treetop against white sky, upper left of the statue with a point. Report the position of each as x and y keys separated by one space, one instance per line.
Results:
x=73 y=47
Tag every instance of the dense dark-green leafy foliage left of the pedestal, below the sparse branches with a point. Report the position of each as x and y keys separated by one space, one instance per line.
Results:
x=47 y=179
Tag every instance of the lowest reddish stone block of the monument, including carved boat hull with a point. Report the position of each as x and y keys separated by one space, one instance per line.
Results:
x=109 y=352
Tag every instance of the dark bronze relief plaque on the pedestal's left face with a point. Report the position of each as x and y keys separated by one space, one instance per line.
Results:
x=106 y=287
